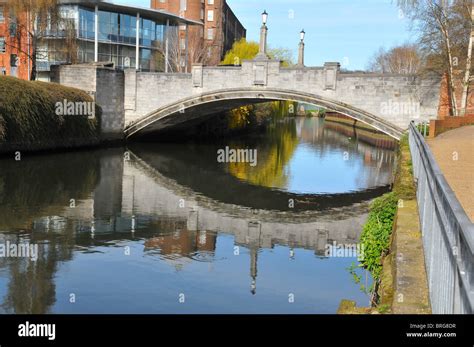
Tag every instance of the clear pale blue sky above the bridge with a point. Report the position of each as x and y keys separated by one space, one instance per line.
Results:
x=348 y=31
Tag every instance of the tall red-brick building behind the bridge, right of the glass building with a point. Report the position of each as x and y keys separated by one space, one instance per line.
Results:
x=207 y=44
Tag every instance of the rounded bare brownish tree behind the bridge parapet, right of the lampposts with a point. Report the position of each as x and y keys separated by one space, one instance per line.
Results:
x=403 y=59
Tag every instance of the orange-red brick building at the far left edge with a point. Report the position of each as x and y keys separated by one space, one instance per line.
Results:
x=14 y=45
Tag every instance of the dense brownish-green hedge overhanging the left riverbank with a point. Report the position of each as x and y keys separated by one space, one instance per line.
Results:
x=28 y=118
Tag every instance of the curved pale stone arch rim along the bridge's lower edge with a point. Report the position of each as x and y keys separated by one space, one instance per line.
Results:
x=205 y=104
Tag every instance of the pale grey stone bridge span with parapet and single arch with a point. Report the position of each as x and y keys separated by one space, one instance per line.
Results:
x=156 y=101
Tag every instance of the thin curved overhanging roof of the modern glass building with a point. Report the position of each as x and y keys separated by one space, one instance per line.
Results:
x=144 y=12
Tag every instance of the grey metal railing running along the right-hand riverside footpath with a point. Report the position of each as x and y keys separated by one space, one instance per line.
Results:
x=448 y=234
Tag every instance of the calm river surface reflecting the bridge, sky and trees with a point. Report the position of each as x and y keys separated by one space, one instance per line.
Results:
x=165 y=228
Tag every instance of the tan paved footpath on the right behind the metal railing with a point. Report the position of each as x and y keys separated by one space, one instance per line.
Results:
x=459 y=173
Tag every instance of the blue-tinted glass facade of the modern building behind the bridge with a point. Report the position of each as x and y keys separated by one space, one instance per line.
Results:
x=117 y=39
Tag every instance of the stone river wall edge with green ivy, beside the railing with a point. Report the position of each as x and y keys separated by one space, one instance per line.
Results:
x=393 y=247
